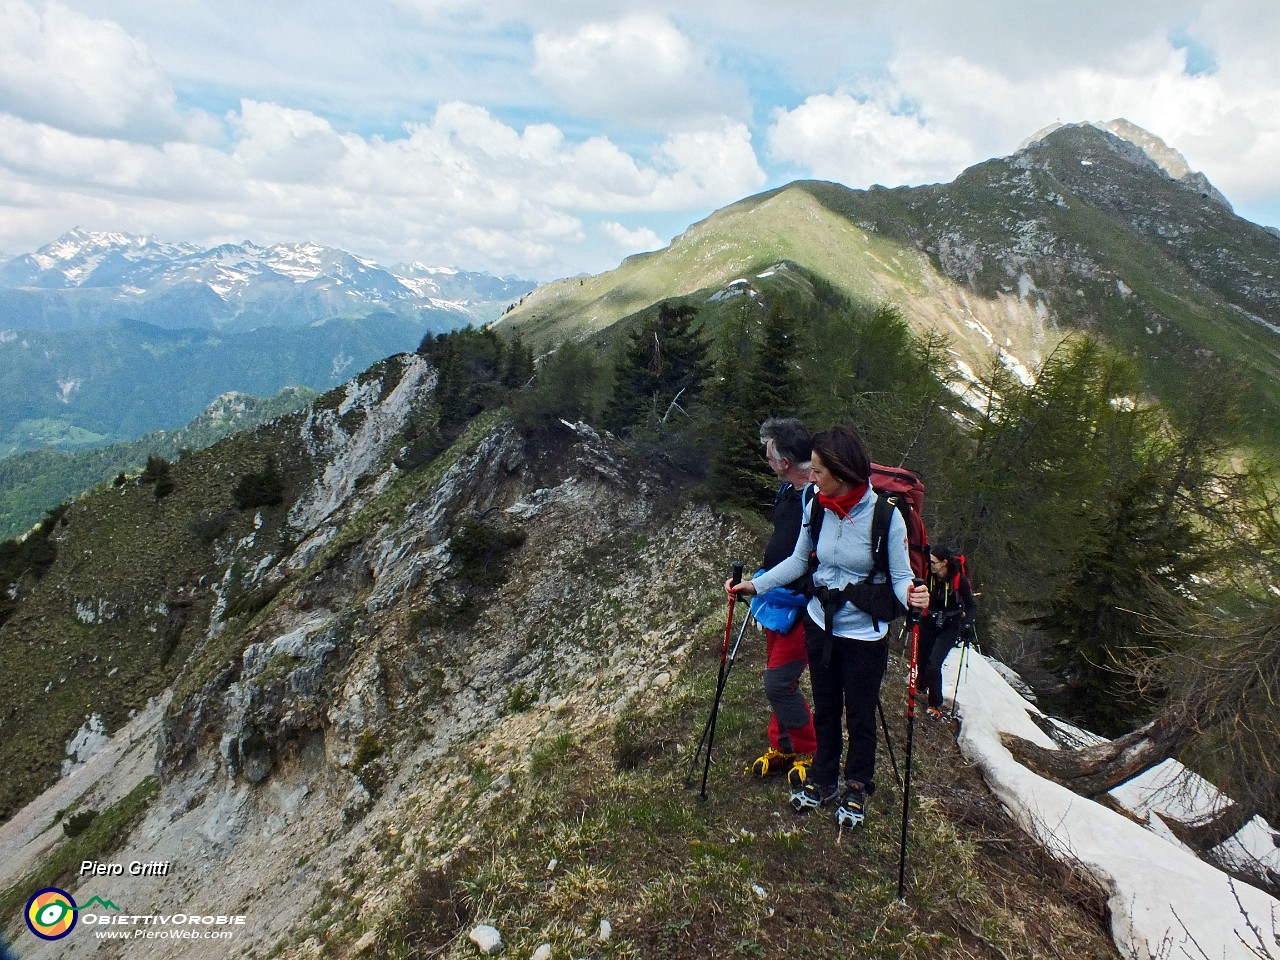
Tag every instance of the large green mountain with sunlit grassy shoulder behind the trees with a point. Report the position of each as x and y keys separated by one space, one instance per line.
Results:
x=1013 y=254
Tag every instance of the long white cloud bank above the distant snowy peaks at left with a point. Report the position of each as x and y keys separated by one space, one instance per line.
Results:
x=464 y=189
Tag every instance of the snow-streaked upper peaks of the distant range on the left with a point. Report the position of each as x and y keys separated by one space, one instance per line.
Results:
x=88 y=278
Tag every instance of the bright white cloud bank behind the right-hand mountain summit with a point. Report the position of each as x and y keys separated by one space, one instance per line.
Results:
x=938 y=112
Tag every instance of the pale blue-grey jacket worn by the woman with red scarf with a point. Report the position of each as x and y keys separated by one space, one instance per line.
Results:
x=845 y=557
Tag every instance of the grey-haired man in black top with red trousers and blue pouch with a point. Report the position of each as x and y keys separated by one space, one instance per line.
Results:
x=792 y=737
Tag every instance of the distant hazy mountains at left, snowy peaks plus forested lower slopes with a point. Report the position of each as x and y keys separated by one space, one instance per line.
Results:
x=106 y=337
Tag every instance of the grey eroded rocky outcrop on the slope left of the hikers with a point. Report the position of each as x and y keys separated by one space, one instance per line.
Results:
x=371 y=628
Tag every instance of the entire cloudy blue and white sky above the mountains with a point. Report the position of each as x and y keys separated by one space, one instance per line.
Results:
x=550 y=139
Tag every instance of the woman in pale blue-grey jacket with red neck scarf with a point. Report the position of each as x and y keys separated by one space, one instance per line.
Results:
x=848 y=651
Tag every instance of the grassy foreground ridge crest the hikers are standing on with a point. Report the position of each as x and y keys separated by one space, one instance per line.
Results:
x=598 y=826
